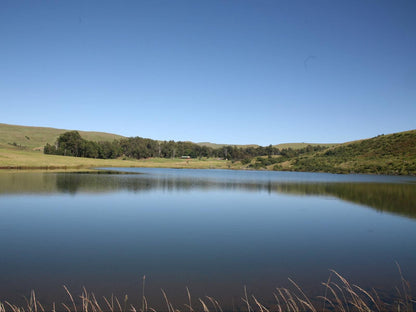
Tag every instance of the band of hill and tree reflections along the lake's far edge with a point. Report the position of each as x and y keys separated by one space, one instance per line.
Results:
x=397 y=198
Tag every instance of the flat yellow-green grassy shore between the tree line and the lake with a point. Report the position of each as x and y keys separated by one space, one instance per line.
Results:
x=17 y=160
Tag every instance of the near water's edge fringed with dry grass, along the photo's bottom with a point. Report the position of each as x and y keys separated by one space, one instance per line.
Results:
x=337 y=294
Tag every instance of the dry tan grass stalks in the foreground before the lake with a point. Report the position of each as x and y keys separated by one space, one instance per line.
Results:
x=339 y=296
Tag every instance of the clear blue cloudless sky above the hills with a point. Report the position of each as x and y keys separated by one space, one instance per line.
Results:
x=236 y=72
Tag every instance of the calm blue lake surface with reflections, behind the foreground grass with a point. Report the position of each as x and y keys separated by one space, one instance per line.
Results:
x=213 y=231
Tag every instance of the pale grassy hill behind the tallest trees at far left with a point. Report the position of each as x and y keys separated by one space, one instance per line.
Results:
x=36 y=137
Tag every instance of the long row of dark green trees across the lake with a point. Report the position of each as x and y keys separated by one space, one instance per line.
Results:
x=72 y=144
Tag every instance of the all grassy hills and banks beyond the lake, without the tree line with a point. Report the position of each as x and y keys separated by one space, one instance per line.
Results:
x=393 y=154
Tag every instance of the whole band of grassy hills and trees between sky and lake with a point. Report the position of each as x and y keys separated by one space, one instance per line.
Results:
x=36 y=148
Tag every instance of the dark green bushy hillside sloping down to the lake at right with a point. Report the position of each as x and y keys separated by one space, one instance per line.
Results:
x=385 y=154
